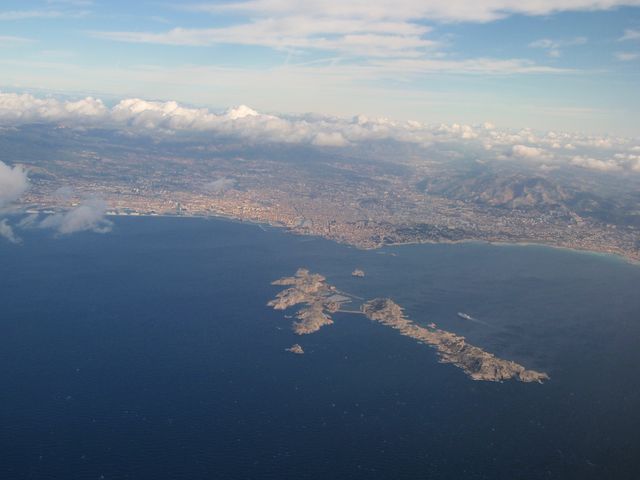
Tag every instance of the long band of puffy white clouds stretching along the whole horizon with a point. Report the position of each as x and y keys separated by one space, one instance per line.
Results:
x=166 y=119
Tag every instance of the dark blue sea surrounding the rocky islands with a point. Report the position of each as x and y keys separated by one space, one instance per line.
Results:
x=149 y=353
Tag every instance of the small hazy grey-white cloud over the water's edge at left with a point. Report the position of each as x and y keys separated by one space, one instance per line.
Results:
x=88 y=216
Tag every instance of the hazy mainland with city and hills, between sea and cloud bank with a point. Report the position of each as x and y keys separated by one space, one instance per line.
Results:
x=378 y=197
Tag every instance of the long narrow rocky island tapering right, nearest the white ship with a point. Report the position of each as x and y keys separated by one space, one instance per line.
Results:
x=452 y=348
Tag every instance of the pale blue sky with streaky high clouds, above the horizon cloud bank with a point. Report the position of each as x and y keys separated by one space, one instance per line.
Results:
x=565 y=64
